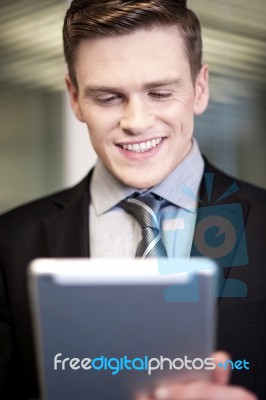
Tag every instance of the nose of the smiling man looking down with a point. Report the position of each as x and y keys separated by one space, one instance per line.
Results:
x=137 y=117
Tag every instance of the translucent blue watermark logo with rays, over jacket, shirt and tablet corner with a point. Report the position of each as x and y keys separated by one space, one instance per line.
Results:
x=219 y=235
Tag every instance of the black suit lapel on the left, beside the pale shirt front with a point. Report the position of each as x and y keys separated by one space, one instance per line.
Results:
x=66 y=231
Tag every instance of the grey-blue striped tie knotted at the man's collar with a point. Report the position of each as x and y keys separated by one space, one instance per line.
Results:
x=145 y=209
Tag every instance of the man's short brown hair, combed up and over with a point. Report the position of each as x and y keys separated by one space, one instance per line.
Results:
x=87 y=19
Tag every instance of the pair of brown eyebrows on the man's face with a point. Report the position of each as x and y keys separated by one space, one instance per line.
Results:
x=92 y=89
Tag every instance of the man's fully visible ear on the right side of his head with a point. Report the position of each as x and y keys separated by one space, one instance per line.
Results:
x=201 y=91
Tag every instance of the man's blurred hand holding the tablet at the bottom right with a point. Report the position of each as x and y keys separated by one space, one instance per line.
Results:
x=216 y=389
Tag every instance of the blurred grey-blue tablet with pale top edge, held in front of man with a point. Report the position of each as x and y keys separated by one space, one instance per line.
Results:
x=108 y=329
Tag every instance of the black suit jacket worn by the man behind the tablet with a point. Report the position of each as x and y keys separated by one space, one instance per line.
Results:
x=57 y=226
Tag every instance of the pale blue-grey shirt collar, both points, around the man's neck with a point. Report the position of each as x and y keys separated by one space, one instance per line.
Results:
x=180 y=188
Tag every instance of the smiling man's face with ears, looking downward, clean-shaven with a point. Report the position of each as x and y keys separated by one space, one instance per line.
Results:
x=137 y=98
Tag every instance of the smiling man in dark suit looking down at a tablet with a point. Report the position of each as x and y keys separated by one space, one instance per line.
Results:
x=136 y=80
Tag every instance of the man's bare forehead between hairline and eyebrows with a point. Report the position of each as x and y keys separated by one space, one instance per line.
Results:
x=145 y=54
